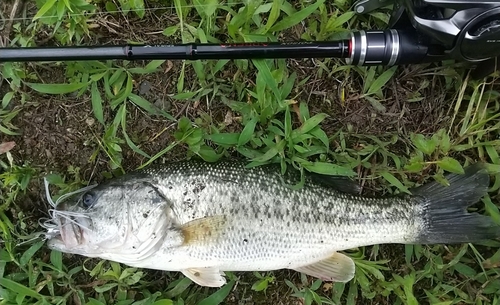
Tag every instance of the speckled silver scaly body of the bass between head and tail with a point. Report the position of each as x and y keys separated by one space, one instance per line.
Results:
x=314 y=221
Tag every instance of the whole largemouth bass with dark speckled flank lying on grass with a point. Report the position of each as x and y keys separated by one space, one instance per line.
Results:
x=206 y=218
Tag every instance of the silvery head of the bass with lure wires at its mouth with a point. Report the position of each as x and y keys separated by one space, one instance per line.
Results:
x=122 y=217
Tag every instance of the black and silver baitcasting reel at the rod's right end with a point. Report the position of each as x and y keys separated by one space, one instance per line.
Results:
x=463 y=30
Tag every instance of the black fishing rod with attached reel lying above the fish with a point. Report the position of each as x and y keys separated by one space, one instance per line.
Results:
x=419 y=31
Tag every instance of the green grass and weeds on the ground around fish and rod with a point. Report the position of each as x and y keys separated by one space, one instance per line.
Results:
x=391 y=128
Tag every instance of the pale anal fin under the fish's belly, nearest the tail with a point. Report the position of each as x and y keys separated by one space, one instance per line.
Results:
x=337 y=268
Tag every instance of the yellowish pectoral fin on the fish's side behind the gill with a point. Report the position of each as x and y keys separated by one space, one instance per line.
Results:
x=205 y=229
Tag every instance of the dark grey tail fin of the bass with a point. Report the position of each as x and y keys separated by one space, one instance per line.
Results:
x=446 y=219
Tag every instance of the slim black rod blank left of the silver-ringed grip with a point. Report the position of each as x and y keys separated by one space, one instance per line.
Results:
x=333 y=49
